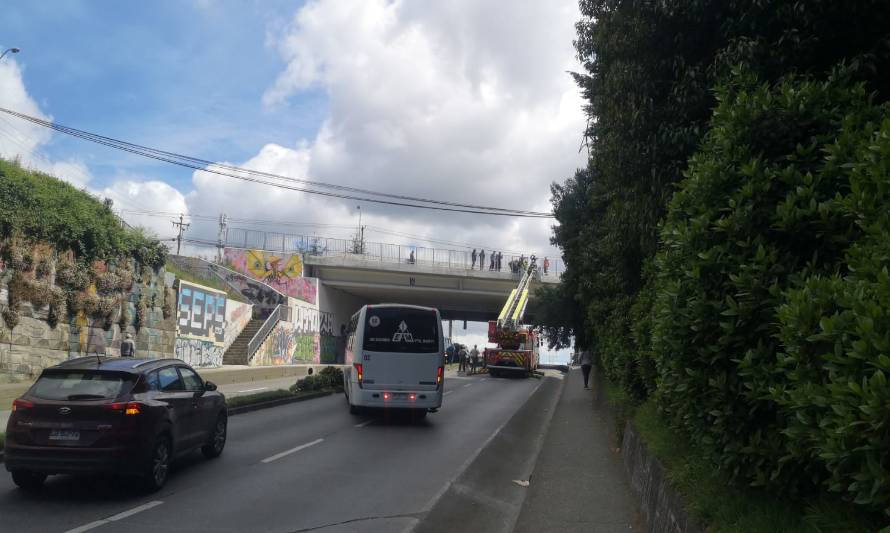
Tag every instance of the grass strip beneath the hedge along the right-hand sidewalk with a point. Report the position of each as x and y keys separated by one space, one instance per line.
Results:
x=716 y=503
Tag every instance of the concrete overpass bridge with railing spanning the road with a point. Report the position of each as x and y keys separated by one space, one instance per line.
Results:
x=353 y=273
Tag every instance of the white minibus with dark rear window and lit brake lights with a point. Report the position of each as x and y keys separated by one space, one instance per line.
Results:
x=397 y=355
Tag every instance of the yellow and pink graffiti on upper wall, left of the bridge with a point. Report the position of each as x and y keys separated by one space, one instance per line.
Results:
x=283 y=273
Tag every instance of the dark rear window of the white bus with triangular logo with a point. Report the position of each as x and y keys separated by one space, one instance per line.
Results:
x=403 y=330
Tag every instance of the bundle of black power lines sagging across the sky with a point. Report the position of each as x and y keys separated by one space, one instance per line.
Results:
x=220 y=169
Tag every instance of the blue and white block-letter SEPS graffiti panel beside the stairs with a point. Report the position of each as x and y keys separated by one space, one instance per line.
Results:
x=202 y=313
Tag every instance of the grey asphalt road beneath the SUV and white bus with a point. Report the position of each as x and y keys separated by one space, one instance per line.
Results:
x=308 y=466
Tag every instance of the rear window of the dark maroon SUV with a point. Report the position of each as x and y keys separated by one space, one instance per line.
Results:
x=82 y=385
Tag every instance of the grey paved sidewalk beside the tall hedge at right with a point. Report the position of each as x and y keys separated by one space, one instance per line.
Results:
x=579 y=482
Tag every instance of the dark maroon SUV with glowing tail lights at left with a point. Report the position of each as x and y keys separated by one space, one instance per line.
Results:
x=121 y=415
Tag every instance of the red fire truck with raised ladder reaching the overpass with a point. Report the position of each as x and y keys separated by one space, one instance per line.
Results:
x=517 y=345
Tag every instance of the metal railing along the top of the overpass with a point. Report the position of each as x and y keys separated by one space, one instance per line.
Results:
x=383 y=252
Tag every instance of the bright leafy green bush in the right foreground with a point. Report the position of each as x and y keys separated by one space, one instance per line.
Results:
x=769 y=330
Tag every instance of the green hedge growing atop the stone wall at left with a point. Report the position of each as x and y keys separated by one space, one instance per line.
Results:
x=43 y=208
